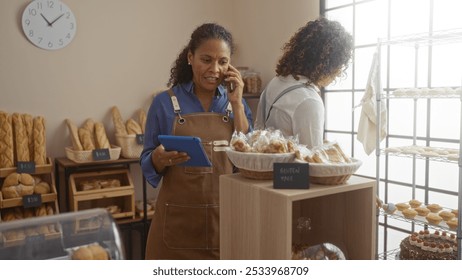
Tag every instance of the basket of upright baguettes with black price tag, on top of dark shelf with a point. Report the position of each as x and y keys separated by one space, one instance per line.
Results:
x=90 y=136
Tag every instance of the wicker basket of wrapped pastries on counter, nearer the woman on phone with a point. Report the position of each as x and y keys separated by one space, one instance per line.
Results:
x=256 y=152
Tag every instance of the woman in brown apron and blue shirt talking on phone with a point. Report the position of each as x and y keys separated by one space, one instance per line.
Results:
x=186 y=219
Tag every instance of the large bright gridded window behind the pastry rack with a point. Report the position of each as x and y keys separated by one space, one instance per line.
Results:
x=438 y=119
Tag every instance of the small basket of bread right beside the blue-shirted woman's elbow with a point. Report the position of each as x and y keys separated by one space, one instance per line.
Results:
x=126 y=133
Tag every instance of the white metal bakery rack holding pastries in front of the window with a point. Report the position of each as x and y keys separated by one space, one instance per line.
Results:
x=417 y=41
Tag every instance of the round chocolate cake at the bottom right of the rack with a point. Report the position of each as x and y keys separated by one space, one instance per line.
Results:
x=426 y=246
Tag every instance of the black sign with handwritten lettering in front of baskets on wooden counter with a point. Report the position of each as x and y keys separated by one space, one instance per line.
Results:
x=291 y=176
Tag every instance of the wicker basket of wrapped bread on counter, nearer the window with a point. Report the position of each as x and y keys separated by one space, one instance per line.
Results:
x=328 y=164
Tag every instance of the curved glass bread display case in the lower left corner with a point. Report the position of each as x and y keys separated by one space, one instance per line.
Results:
x=64 y=244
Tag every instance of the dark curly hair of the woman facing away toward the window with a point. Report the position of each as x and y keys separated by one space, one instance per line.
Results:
x=317 y=50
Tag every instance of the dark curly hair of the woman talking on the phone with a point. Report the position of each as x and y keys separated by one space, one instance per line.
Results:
x=181 y=72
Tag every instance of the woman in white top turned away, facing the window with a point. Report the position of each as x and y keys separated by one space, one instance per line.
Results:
x=313 y=58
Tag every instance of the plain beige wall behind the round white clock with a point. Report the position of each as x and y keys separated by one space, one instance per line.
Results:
x=122 y=53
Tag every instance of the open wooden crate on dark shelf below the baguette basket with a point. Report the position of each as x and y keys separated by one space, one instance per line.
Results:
x=123 y=196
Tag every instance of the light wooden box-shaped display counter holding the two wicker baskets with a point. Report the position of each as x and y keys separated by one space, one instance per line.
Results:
x=260 y=222
